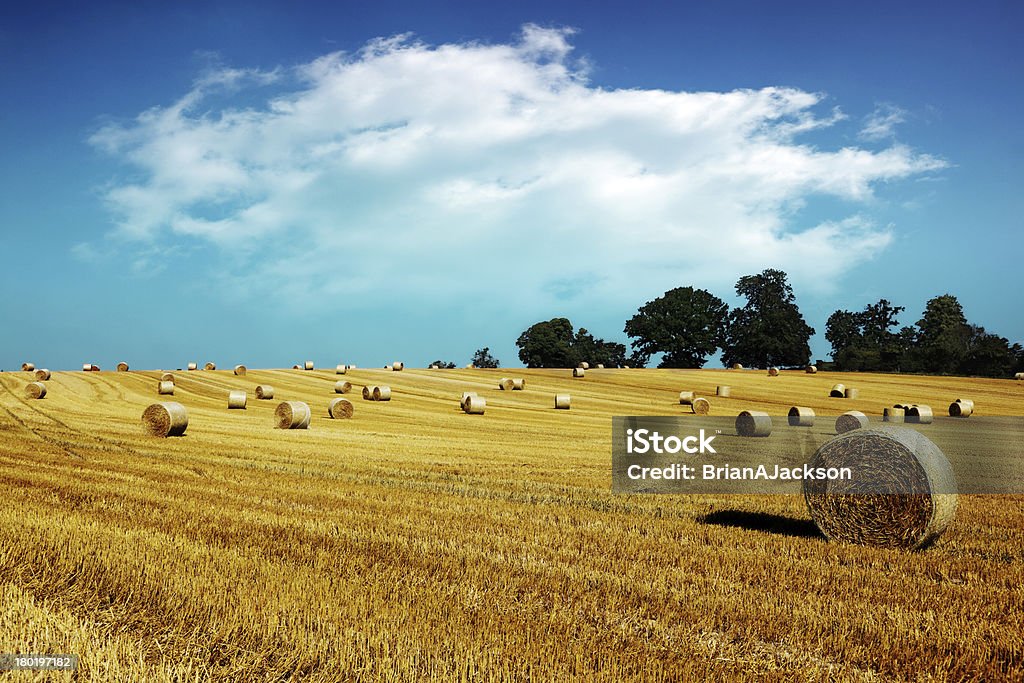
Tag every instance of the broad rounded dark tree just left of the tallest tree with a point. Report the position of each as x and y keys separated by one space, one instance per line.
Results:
x=686 y=325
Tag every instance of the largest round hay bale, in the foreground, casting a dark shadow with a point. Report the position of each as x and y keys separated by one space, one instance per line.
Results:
x=912 y=492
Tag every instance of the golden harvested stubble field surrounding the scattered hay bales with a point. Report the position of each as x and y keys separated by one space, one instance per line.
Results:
x=415 y=542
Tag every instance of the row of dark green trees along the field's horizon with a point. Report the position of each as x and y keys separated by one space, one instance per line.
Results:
x=688 y=326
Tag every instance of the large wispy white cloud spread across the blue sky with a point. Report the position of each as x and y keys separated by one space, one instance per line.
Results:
x=412 y=173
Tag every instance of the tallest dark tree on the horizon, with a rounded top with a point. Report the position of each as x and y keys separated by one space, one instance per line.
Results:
x=769 y=330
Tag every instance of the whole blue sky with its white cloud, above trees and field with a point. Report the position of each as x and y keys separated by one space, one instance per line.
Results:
x=272 y=183
